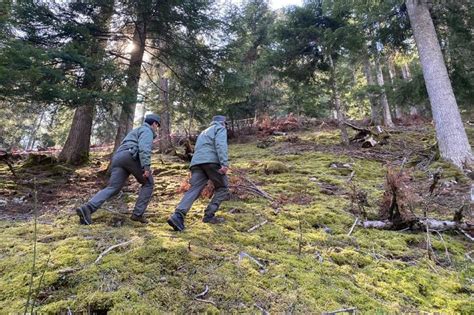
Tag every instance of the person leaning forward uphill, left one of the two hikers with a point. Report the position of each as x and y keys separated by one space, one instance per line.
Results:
x=132 y=157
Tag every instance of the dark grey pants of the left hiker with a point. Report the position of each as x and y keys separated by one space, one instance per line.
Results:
x=122 y=166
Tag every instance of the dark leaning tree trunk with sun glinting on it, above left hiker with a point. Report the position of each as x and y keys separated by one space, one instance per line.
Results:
x=127 y=114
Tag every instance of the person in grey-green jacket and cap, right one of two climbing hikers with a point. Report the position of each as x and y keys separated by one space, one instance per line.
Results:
x=209 y=162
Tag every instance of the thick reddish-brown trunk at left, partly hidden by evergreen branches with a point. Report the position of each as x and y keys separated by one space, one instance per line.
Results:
x=77 y=147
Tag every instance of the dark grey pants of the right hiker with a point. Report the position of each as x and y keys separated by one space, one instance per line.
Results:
x=200 y=174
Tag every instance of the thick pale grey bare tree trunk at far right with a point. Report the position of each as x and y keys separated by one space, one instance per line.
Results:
x=452 y=139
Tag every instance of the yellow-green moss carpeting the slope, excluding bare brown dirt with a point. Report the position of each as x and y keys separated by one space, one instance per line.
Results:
x=307 y=268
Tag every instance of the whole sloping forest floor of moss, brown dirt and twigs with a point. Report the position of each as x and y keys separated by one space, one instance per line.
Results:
x=292 y=254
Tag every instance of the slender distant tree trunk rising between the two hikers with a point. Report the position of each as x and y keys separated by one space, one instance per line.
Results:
x=165 y=136
